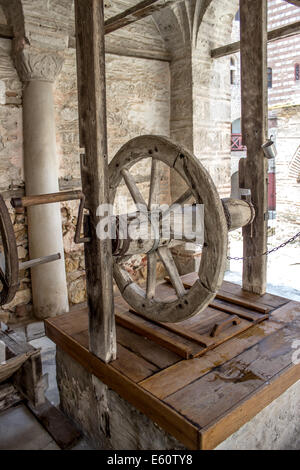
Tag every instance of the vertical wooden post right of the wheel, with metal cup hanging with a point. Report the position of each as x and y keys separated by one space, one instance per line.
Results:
x=253 y=170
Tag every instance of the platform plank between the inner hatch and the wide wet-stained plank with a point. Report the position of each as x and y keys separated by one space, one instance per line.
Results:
x=180 y=375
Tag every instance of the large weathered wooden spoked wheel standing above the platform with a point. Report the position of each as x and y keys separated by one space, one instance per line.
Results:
x=202 y=188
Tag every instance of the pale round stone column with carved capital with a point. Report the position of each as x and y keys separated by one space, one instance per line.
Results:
x=49 y=286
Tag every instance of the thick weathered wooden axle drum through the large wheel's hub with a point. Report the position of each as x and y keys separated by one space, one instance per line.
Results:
x=138 y=234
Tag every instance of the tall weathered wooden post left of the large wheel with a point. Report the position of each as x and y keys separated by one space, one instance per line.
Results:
x=89 y=20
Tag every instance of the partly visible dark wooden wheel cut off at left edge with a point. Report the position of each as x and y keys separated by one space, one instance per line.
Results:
x=9 y=264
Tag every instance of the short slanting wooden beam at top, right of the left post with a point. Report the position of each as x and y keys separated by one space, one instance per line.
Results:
x=135 y=13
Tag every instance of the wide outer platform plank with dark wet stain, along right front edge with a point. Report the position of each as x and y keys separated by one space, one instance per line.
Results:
x=235 y=380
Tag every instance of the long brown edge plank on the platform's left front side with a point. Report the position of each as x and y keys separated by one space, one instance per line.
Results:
x=155 y=409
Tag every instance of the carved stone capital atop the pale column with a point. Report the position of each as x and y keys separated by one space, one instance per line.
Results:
x=36 y=65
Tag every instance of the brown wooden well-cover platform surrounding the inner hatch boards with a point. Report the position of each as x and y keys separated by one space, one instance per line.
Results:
x=199 y=401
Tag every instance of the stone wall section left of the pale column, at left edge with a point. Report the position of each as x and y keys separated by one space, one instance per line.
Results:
x=11 y=168
